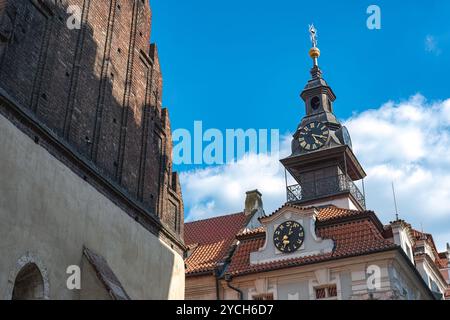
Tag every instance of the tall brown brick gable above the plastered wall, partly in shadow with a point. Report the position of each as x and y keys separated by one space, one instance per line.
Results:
x=98 y=88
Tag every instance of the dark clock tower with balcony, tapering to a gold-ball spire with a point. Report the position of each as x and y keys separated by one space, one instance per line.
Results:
x=322 y=160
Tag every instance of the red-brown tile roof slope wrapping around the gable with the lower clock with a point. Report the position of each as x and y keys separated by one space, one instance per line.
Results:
x=354 y=238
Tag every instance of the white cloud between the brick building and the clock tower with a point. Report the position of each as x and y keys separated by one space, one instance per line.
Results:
x=221 y=190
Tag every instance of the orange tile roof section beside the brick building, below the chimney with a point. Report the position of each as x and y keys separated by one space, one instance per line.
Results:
x=210 y=241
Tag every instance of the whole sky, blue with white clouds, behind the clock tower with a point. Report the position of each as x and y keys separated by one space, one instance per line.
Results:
x=242 y=64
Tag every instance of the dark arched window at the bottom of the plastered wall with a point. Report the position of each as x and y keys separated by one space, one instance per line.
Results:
x=29 y=284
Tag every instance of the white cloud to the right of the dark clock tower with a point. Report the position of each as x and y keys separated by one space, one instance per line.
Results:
x=408 y=143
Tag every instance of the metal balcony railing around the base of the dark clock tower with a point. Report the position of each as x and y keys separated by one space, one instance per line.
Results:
x=325 y=187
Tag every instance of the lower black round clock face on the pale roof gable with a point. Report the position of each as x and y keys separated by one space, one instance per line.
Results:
x=289 y=237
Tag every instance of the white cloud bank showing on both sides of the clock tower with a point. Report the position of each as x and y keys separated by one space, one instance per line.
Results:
x=406 y=142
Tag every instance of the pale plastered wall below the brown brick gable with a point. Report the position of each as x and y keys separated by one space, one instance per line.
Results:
x=49 y=214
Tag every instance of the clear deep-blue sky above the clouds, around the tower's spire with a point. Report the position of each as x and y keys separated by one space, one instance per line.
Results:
x=243 y=64
